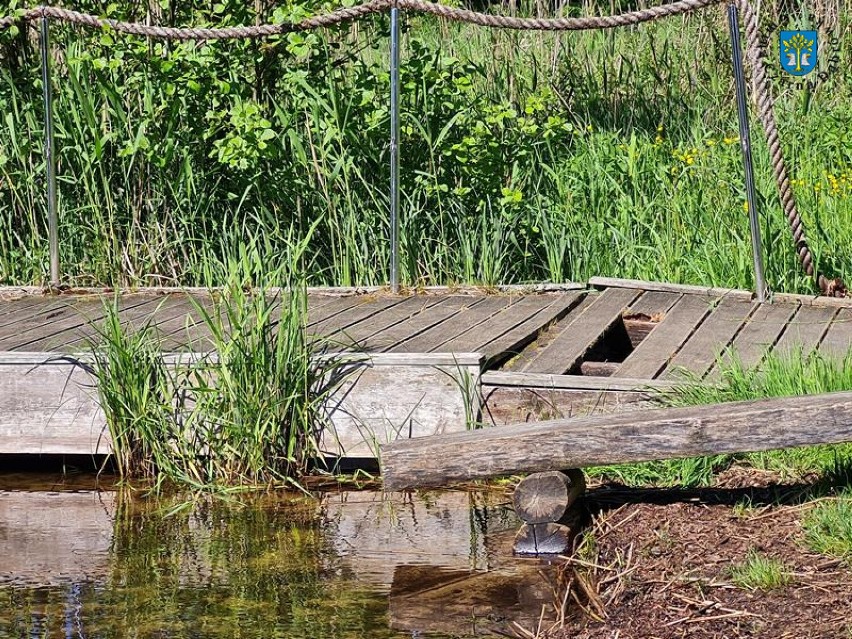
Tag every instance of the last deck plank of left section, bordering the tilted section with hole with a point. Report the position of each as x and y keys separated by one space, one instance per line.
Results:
x=512 y=329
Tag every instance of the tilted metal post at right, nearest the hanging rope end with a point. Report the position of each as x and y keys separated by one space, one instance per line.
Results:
x=745 y=144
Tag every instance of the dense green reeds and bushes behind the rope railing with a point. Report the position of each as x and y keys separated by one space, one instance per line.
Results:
x=526 y=156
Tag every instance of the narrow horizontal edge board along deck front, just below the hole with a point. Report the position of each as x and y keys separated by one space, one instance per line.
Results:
x=572 y=382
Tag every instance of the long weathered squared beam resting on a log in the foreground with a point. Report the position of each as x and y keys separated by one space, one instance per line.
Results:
x=614 y=439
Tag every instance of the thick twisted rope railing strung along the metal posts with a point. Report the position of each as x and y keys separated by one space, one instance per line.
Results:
x=755 y=56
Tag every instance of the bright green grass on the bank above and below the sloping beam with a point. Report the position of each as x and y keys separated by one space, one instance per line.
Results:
x=779 y=375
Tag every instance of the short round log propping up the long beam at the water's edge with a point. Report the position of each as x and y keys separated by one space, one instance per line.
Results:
x=545 y=497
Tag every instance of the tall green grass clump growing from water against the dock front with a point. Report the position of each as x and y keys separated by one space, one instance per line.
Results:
x=248 y=413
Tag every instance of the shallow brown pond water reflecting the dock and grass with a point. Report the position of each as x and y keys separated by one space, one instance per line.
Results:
x=85 y=560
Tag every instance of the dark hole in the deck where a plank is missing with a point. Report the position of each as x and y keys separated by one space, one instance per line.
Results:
x=615 y=344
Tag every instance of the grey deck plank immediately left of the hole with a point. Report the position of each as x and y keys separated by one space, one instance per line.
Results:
x=568 y=349
